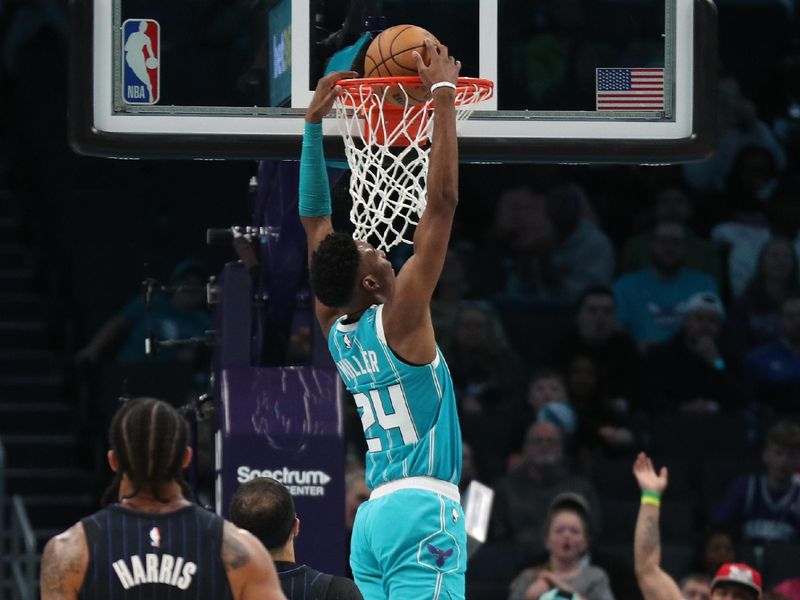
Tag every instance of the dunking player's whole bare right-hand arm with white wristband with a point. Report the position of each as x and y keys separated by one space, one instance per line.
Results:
x=407 y=314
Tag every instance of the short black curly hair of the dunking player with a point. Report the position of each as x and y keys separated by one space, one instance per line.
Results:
x=334 y=266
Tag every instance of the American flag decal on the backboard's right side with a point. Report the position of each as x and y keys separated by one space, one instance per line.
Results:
x=630 y=89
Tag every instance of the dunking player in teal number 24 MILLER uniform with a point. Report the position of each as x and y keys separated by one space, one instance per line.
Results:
x=408 y=539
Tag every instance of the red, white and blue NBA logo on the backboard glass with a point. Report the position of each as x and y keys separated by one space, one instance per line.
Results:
x=141 y=67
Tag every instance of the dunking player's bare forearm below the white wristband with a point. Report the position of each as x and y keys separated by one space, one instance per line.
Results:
x=443 y=171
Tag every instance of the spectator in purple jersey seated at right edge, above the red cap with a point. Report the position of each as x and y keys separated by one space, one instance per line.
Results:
x=766 y=507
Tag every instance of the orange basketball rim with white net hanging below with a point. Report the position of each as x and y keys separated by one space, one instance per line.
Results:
x=387 y=137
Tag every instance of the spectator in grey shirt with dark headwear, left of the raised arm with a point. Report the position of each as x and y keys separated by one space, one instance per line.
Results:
x=567 y=568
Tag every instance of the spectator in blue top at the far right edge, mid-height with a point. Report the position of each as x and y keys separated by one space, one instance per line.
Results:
x=775 y=368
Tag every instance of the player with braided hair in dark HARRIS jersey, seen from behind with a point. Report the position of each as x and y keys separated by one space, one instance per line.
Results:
x=152 y=542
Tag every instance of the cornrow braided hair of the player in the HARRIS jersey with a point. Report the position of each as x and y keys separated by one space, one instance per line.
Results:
x=148 y=437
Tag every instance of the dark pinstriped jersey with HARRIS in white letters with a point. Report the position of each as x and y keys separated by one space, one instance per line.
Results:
x=159 y=556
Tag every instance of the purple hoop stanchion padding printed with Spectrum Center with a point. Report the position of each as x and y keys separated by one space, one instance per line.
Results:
x=285 y=423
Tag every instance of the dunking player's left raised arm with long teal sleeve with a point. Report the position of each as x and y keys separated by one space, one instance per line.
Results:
x=315 y=195
